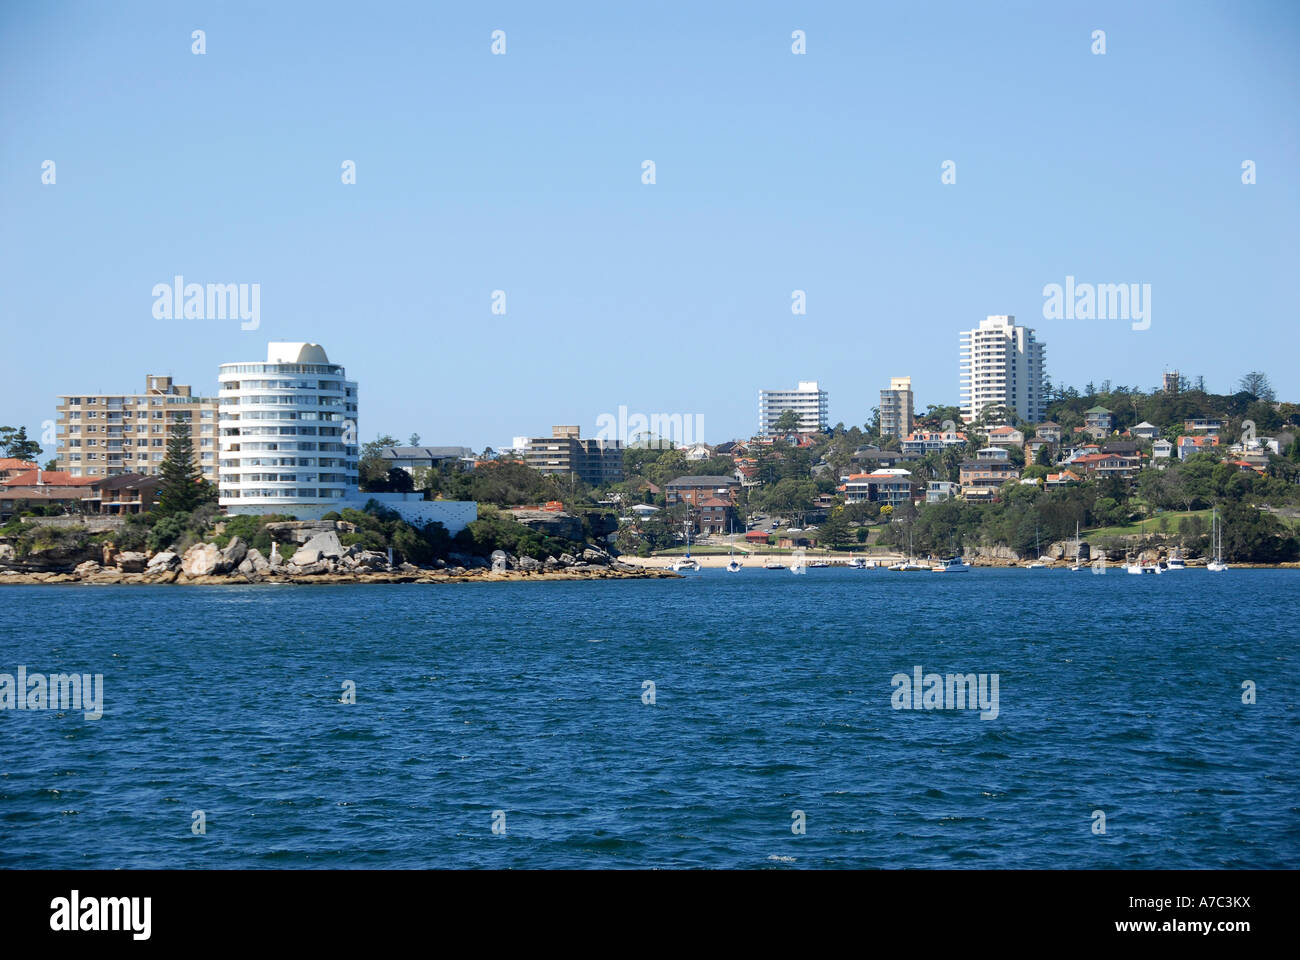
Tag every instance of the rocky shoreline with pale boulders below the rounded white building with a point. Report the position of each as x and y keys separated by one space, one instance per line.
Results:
x=322 y=560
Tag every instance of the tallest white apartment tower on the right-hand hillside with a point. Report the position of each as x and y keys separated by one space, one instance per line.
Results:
x=1003 y=366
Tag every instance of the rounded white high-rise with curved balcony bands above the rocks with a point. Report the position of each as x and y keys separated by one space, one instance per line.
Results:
x=288 y=431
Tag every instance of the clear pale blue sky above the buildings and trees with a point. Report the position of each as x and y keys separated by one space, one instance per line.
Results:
x=523 y=174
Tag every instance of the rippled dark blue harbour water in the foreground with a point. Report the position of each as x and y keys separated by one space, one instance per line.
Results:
x=1117 y=694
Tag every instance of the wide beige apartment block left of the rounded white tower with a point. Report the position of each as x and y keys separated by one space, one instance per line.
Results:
x=111 y=435
